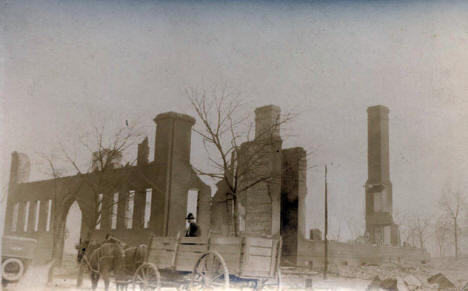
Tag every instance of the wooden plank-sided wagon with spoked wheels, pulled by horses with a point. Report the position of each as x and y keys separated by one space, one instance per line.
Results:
x=216 y=262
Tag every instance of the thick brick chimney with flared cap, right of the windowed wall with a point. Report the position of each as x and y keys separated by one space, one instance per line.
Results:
x=172 y=156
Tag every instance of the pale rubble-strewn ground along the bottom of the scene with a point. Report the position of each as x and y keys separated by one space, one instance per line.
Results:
x=346 y=277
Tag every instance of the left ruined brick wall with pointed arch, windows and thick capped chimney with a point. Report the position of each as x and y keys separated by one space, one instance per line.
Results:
x=39 y=209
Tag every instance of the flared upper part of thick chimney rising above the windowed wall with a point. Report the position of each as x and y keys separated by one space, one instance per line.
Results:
x=173 y=137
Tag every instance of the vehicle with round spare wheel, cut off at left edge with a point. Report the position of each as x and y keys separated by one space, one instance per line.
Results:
x=17 y=254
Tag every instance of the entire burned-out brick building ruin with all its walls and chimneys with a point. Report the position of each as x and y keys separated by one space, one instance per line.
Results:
x=275 y=207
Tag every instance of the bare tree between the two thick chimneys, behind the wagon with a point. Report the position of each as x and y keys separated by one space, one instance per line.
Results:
x=223 y=128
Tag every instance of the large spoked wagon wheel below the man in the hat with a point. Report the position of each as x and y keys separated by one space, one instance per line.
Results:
x=210 y=273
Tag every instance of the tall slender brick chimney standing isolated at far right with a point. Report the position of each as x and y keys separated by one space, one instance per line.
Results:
x=380 y=228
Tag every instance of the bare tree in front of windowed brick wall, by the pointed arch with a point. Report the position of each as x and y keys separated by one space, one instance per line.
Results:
x=103 y=171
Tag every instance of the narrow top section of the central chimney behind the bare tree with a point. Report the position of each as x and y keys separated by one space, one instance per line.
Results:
x=267 y=119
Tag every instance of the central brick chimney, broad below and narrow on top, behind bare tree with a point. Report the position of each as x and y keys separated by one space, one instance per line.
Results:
x=260 y=205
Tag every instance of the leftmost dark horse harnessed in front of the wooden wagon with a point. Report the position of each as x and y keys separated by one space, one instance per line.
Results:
x=102 y=259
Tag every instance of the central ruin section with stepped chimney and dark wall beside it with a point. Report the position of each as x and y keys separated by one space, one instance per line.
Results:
x=274 y=207
